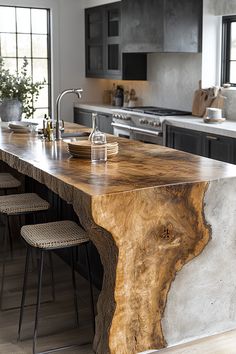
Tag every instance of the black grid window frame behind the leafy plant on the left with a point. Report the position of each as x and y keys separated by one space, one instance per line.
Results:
x=49 y=60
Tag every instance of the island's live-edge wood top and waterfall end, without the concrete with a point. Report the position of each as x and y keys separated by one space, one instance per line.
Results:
x=144 y=211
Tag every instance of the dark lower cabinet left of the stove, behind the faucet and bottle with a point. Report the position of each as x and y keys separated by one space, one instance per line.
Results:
x=84 y=117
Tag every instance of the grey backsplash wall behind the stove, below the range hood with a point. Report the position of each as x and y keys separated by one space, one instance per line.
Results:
x=172 y=79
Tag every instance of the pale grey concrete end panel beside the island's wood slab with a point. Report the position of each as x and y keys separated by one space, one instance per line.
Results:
x=202 y=298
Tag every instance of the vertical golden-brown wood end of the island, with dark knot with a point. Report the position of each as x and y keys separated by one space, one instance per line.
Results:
x=155 y=232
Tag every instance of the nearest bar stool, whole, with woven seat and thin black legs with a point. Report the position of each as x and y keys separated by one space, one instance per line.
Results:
x=45 y=238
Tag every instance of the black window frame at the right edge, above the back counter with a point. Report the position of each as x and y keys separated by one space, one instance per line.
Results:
x=226 y=46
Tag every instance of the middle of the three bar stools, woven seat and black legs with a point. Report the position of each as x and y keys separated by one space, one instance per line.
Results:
x=17 y=205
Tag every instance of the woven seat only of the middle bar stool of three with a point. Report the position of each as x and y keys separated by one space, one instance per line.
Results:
x=22 y=203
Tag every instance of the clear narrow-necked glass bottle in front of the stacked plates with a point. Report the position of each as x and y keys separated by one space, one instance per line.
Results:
x=98 y=143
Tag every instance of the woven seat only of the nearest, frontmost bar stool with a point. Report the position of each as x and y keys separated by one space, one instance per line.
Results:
x=52 y=235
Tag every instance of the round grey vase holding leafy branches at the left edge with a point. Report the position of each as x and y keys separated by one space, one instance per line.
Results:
x=10 y=110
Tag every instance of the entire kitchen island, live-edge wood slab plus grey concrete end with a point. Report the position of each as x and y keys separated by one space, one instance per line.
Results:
x=163 y=222
